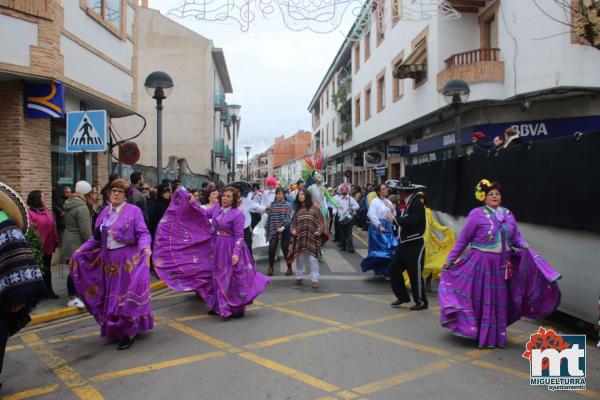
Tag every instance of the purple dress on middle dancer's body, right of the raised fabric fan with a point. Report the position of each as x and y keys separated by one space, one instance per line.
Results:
x=237 y=285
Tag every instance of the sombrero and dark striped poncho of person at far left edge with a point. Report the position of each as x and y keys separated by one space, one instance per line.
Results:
x=21 y=281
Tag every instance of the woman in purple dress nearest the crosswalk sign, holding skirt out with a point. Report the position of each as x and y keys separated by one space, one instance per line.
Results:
x=111 y=270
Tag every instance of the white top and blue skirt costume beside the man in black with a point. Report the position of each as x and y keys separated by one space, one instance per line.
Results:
x=381 y=245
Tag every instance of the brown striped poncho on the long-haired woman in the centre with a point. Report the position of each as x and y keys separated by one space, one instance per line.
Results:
x=307 y=223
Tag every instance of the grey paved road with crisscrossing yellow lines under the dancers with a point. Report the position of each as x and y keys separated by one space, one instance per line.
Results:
x=342 y=341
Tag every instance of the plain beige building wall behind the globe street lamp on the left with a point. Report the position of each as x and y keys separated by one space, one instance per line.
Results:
x=197 y=135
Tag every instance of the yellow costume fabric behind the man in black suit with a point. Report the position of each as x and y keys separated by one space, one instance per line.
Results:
x=436 y=250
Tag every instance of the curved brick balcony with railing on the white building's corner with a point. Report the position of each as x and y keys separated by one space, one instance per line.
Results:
x=480 y=65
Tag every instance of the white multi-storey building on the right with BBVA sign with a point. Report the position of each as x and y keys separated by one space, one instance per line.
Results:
x=523 y=69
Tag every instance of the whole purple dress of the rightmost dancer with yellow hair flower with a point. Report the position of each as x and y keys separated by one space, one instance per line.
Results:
x=497 y=282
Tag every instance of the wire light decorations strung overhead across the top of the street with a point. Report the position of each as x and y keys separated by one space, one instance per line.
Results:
x=319 y=16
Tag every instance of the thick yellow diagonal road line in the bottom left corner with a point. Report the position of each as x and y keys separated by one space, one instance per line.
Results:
x=61 y=369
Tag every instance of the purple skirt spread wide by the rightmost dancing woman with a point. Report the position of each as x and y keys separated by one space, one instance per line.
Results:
x=477 y=301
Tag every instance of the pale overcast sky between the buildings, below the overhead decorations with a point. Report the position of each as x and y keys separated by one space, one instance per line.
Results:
x=274 y=71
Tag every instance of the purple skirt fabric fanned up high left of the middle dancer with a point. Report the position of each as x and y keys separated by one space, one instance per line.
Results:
x=183 y=247
